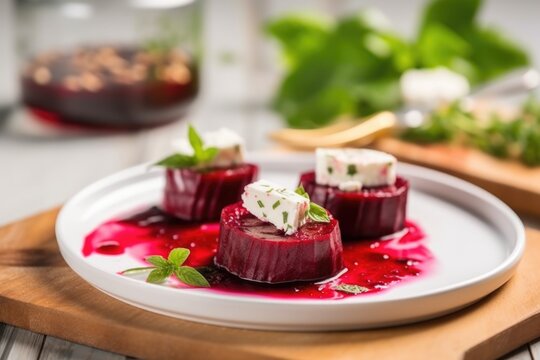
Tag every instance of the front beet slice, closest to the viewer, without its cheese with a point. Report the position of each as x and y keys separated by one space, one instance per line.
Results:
x=255 y=250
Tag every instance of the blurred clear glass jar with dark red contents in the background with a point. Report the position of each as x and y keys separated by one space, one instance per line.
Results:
x=108 y=63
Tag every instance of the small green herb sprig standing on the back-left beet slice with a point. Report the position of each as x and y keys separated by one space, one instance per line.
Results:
x=201 y=157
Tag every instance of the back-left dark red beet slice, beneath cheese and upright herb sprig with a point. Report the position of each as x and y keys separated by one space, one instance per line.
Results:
x=201 y=195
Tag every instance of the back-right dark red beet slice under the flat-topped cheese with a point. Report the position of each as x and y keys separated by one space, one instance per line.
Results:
x=370 y=212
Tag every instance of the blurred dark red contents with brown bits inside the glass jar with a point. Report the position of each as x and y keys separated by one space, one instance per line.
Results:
x=110 y=87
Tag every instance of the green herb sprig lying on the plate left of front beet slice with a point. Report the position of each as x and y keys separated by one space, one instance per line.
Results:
x=163 y=268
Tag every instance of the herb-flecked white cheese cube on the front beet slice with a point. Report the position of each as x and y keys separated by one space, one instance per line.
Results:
x=273 y=203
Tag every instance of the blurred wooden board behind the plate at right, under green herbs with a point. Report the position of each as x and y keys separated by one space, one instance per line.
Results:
x=514 y=183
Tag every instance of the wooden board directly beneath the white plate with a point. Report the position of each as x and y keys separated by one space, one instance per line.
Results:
x=39 y=292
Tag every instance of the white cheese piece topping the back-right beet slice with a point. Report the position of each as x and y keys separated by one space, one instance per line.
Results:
x=351 y=169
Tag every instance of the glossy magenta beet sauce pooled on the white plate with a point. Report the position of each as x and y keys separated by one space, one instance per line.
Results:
x=374 y=264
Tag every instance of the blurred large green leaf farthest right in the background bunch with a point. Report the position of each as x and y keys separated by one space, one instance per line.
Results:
x=450 y=35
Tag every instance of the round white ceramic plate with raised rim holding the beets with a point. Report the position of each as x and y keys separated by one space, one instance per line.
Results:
x=476 y=239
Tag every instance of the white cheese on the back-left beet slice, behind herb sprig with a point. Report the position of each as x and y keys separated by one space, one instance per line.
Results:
x=230 y=147
